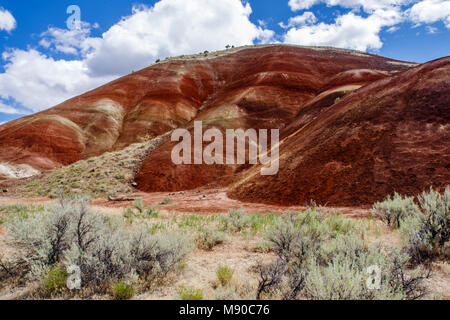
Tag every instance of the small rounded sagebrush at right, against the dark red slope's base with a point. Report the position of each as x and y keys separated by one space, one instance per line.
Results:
x=395 y=209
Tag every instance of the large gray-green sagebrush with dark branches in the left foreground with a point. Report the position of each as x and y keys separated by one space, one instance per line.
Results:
x=69 y=233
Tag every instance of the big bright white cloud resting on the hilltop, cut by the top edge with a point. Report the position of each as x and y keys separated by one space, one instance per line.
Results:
x=173 y=27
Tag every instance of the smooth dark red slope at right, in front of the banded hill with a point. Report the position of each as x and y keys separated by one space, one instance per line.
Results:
x=392 y=135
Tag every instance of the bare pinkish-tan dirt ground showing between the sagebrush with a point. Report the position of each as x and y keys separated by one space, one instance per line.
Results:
x=238 y=251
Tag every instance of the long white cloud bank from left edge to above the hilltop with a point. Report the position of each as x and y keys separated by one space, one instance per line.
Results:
x=171 y=27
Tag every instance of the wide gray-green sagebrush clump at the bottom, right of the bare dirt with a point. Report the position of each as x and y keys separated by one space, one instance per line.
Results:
x=317 y=260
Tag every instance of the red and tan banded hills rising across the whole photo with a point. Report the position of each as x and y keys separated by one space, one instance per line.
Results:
x=354 y=126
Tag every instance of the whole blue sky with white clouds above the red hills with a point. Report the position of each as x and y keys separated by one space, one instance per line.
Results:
x=43 y=62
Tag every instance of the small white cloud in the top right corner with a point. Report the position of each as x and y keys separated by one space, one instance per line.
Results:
x=430 y=11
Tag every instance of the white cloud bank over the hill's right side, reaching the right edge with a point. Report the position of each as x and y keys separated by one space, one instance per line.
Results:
x=355 y=30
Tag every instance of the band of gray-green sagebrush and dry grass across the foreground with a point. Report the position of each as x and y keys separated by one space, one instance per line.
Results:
x=315 y=254
